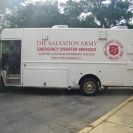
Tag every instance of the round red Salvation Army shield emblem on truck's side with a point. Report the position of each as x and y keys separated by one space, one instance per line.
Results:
x=113 y=50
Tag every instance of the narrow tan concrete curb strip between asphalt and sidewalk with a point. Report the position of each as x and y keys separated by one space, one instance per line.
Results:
x=106 y=116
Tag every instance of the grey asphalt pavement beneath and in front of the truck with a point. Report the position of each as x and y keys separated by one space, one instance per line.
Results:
x=34 y=110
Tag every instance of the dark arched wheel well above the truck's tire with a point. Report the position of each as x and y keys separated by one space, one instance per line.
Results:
x=90 y=76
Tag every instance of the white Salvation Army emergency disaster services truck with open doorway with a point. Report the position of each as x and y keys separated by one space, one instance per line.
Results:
x=85 y=58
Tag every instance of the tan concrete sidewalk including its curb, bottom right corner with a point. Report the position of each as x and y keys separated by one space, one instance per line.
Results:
x=119 y=120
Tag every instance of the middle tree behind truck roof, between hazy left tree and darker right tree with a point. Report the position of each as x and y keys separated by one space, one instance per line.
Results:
x=74 y=13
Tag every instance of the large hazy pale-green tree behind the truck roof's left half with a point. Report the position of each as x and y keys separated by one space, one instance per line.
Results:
x=42 y=14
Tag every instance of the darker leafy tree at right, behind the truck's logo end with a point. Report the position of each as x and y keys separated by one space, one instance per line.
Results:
x=115 y=12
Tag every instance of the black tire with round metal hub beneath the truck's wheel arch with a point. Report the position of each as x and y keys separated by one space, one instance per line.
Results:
x=89 y=87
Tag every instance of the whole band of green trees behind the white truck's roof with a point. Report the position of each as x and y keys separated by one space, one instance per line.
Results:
x=83 y=13
